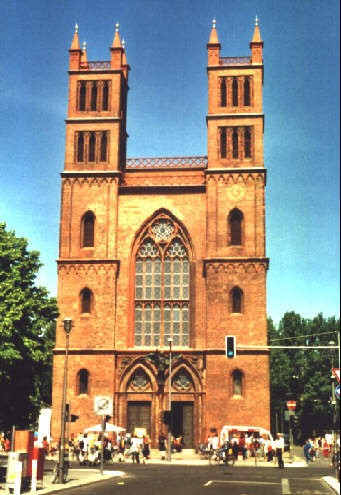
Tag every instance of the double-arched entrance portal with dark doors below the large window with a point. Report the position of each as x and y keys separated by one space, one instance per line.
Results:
x=144 y=395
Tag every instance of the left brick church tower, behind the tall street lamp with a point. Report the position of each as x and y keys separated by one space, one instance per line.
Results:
x=87 y=266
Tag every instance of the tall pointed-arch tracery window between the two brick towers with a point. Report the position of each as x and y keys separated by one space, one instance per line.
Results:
x=162 y=286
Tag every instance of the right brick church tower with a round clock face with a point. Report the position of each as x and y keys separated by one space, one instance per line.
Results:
x=236 y=262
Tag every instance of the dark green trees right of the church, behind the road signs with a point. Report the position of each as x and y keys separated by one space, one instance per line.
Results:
x=303 y=375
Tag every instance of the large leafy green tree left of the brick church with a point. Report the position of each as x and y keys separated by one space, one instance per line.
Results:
x=27 y=316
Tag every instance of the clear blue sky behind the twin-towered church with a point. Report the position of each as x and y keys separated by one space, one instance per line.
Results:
x=167 y=105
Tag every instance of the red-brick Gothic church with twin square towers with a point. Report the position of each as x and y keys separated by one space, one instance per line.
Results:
x=153 y=249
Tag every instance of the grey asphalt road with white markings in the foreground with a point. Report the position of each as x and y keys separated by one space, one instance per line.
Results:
x=211 y=480
